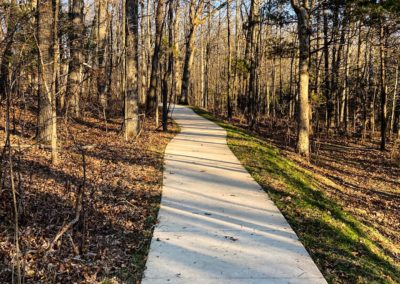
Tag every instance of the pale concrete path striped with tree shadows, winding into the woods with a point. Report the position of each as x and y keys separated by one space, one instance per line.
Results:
x=216 y=224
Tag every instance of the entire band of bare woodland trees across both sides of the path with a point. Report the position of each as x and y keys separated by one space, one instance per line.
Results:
x=330 y=66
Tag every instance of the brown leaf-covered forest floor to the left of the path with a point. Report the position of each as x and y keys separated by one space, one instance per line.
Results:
x=122 y=195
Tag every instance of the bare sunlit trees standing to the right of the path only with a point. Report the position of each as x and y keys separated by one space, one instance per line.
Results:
x=331 y=65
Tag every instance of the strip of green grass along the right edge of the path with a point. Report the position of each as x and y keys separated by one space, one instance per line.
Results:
x=345 y=250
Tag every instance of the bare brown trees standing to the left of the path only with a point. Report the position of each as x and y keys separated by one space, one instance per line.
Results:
x=86 y=58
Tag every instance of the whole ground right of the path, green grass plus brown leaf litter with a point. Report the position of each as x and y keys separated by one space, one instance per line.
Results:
x=344 y=204
